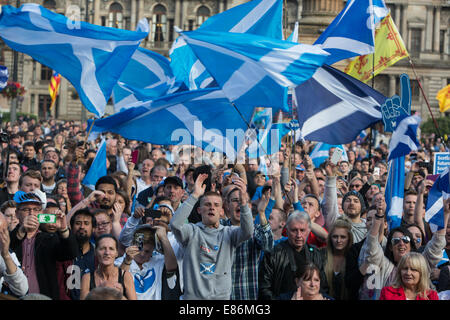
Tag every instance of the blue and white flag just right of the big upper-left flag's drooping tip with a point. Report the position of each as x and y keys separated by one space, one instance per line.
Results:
x=147 y=76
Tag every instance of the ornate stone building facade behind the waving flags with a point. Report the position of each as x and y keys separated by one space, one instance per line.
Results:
x=423 y=24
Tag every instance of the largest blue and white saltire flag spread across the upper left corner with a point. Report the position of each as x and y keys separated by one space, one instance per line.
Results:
x=91 y=57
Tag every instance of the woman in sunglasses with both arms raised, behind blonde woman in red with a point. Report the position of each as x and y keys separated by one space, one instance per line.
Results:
x=399 y=243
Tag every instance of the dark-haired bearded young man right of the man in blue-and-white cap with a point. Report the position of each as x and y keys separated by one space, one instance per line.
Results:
x=82 y=224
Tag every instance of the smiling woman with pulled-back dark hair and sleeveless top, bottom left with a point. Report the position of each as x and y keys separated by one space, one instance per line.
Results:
x=107 y=274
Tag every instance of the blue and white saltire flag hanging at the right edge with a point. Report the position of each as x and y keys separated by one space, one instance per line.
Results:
x=440 y=191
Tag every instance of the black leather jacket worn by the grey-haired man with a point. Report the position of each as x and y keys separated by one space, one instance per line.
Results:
x=281 y=261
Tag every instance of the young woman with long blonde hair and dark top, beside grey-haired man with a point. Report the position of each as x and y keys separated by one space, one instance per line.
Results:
x=339 y=241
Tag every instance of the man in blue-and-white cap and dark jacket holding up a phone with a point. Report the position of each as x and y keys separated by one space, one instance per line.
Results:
x=38 y=251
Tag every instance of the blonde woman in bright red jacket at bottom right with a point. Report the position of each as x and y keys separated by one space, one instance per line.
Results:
x=412 y=281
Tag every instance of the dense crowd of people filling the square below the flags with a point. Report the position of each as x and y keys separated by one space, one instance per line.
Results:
x=170 y=223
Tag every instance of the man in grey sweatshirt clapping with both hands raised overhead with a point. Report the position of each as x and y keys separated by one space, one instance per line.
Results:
x=210 y=246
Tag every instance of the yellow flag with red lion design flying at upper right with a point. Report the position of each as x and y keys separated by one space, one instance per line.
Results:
x=389 y=48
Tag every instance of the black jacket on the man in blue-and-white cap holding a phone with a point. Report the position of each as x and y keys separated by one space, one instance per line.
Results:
x=49 y=248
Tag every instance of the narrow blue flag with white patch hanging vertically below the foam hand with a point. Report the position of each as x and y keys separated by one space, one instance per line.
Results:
x=394 y=192
